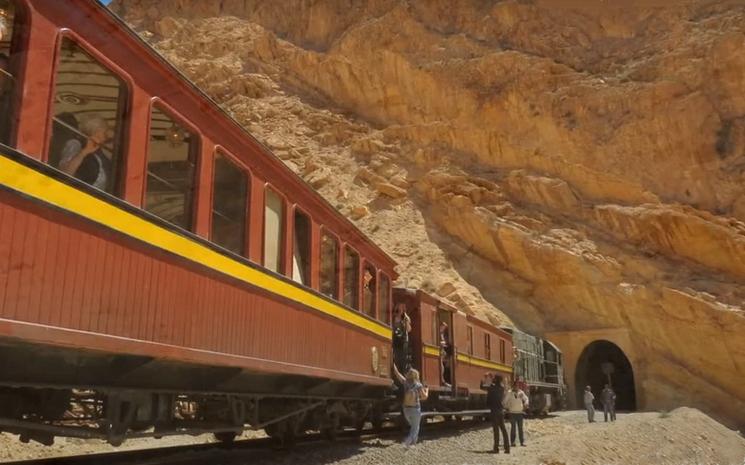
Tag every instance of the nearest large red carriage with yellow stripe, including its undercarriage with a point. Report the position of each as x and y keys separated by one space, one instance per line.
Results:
x=159 y=268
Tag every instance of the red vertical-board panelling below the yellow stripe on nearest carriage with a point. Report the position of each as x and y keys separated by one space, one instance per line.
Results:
x=82 y=280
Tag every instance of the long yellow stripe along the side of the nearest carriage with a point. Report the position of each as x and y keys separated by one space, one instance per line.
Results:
x=47 y=189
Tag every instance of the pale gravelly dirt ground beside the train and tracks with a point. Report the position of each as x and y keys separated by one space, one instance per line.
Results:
x=682 y=437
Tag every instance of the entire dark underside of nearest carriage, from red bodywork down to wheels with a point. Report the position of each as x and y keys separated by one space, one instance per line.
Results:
x=66 y=392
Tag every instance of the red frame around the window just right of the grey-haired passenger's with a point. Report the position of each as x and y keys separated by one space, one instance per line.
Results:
x=198 y=165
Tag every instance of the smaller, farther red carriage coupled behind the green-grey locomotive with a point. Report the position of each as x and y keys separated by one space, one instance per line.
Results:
x=453 y=358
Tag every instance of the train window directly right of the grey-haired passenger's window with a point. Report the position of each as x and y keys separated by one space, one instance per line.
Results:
x=171 y=167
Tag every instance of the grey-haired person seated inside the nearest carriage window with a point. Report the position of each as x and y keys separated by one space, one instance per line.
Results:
x=86 y=160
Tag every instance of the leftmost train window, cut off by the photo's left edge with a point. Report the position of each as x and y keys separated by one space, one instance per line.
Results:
x=10 y=51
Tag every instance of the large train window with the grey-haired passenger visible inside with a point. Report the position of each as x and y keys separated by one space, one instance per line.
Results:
x=90 y=106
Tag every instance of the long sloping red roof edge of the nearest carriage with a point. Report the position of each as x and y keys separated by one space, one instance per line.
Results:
x=380 y=255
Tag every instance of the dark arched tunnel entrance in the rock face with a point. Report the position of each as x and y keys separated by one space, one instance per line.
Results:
x=603 y=362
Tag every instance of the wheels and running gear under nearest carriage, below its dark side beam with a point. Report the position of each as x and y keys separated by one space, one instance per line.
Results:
x=40 y=414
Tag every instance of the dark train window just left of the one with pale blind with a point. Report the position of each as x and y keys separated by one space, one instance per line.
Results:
x=229 y=200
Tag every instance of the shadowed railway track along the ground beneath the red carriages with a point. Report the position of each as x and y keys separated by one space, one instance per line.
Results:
x=241 y=451
